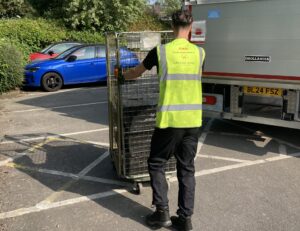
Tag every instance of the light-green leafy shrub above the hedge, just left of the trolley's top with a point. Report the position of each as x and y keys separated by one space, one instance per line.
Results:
x=102 y=15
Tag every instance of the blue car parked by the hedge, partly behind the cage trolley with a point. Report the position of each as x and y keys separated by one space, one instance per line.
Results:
x=79 y=64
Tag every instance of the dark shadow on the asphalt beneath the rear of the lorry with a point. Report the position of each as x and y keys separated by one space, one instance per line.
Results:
x=250 y=138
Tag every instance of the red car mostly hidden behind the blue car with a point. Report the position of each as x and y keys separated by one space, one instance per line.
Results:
x=52 y=50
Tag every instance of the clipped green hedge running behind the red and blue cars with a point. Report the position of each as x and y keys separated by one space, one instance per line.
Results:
x=31 y=35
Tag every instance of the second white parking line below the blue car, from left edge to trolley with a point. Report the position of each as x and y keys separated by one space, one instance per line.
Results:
x=55 y=136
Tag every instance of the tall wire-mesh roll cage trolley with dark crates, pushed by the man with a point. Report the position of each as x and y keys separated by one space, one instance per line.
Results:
x=132 y=105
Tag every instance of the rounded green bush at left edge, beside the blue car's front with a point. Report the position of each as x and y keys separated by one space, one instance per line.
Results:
x=11 y=67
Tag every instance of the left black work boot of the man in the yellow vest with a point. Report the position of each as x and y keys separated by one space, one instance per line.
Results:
x=160 y=218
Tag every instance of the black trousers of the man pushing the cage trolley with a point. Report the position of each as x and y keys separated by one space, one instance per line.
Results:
x=181 y=142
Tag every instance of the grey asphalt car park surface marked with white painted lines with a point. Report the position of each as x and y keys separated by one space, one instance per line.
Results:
x=56 y=173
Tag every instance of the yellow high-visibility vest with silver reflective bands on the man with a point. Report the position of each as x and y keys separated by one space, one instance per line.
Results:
x=180 y=98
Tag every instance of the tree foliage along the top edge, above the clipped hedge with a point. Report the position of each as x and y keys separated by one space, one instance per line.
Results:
x=96 y=15
